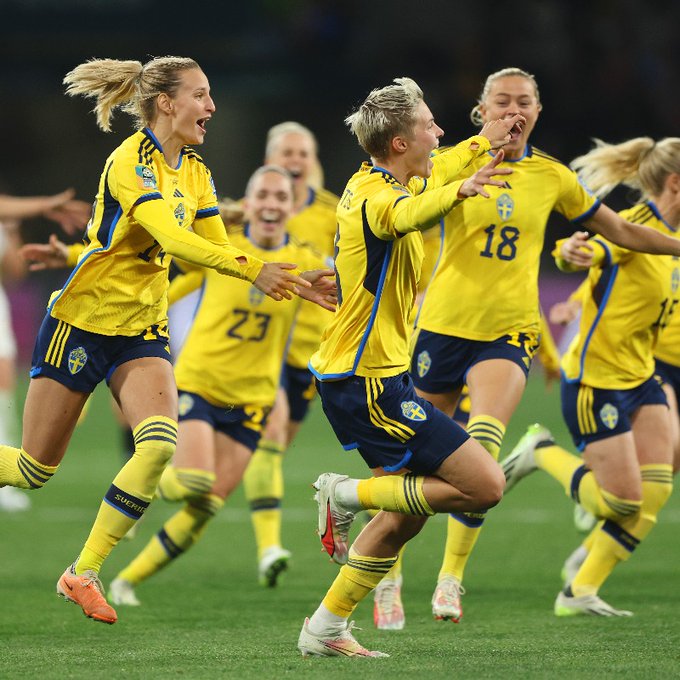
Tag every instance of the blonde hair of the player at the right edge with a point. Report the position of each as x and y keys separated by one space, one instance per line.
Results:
x=639 y=163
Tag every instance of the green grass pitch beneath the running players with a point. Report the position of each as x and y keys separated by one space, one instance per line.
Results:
x=205 y=616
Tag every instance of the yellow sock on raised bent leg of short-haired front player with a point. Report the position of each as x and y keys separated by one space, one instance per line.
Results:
x=396 y=493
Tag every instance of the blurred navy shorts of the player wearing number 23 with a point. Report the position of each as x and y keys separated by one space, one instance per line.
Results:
x=242 y=423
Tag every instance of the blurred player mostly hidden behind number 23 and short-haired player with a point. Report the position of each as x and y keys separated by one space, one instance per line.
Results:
x=294 y=147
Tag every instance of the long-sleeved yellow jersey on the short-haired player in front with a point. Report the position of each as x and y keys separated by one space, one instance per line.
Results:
x=379 y=253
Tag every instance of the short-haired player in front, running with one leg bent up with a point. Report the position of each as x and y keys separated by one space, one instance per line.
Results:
x=361 y=364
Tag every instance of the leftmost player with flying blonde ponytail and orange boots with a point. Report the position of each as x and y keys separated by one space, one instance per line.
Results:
x=109 y=321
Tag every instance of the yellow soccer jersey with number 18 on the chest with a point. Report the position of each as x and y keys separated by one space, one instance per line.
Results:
x=486 y=281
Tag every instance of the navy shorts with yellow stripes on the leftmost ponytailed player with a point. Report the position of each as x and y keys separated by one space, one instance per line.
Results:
x=80 y=360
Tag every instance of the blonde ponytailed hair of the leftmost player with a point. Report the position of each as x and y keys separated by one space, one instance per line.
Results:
x=128 y=85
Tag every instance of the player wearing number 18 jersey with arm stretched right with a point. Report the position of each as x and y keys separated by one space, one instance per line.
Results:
x=491 y=252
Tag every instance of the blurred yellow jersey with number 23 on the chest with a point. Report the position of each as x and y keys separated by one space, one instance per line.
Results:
x=234 y=351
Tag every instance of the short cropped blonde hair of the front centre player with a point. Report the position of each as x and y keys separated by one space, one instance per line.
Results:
x=386 y=113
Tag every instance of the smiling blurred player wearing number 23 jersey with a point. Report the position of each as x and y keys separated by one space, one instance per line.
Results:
x=228 y=375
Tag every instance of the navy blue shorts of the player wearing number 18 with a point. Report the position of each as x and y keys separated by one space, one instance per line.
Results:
x=440 y=362
